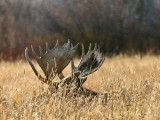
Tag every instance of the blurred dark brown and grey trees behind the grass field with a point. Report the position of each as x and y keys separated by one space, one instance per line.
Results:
x=120 y=27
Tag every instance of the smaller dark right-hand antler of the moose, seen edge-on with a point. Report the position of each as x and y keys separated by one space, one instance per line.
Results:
x=90 y=62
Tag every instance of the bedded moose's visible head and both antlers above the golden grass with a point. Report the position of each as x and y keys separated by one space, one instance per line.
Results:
x=53 y=61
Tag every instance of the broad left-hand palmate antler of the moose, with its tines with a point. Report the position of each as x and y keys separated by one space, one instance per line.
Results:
x=53 y=61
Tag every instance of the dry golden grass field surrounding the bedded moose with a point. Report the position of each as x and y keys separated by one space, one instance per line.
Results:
x=132 y=84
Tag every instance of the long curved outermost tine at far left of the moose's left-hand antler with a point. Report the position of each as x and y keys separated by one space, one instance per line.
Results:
x=32 y=66
